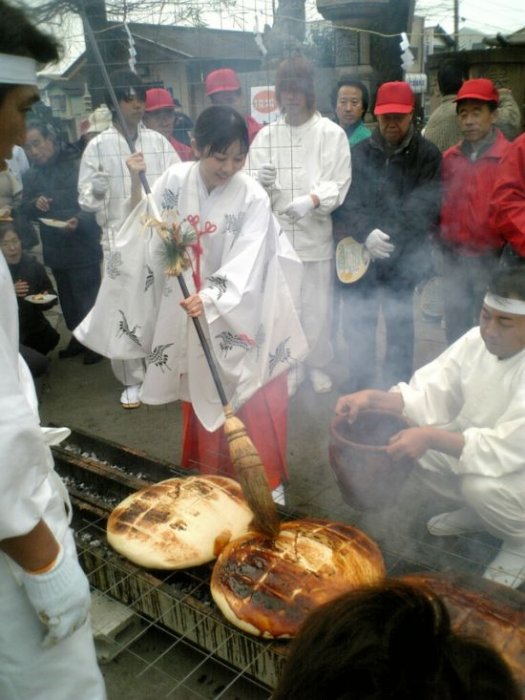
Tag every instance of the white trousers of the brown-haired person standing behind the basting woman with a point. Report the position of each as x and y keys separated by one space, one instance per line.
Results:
x=316 y=311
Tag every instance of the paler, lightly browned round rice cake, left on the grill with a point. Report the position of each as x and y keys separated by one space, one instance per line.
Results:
x=179 y=523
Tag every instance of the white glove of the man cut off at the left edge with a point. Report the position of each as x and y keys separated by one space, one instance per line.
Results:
x=60 y=597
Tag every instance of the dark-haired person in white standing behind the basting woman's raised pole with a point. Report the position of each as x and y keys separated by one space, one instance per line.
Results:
x=104 y=186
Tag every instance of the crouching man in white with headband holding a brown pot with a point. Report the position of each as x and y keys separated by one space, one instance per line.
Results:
x=467 y=409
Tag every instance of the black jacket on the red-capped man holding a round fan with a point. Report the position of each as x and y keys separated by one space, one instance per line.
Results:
x=401 y=196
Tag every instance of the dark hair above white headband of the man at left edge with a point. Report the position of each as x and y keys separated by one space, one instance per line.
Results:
x=18 y=37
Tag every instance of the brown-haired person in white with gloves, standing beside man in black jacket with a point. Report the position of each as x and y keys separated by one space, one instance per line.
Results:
x=303 y=161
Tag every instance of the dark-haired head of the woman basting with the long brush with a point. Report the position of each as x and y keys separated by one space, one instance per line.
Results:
x=220 y=143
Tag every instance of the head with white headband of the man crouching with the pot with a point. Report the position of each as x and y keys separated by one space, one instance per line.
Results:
x=502 y=318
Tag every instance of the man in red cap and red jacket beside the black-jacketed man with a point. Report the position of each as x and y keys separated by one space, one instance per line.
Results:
x=471 y=248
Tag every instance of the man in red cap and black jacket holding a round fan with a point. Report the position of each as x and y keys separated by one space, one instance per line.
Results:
x=391 y=208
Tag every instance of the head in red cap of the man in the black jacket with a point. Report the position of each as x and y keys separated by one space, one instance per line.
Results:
x=394 y=109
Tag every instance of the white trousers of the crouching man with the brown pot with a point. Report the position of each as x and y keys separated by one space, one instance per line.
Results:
x=499 y=501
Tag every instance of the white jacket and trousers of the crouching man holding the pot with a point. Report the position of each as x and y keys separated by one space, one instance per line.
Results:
x=468 y=390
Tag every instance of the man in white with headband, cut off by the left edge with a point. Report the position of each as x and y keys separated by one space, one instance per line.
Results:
x=46 y=644
